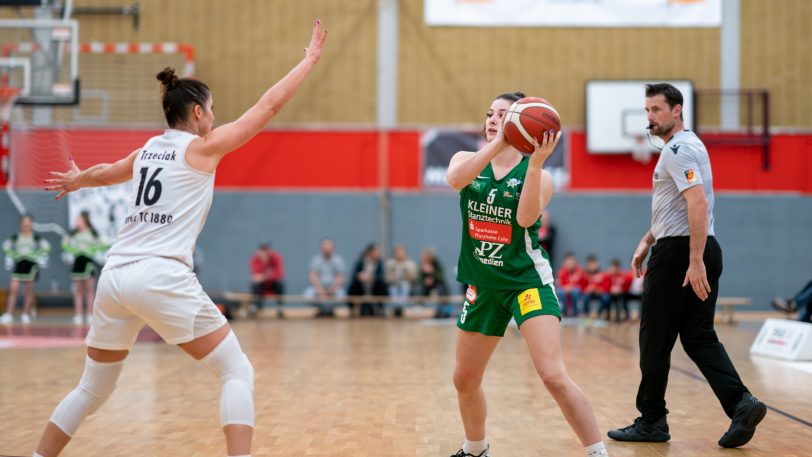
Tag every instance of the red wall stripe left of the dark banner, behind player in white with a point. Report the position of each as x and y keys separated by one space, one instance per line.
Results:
x=271 y=160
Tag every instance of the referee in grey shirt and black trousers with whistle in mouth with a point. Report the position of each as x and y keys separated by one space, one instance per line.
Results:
x=681 y=282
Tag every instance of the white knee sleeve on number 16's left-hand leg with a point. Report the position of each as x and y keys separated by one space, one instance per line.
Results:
x=97 y=384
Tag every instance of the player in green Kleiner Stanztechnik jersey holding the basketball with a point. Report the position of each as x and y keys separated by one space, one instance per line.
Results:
x=502 y=194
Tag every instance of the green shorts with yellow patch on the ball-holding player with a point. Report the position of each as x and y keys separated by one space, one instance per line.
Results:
x=488 y=311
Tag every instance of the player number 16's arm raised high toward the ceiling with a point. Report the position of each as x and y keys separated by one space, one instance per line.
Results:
x=229 y=137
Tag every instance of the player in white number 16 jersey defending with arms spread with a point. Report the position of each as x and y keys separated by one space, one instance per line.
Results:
x=148 y=276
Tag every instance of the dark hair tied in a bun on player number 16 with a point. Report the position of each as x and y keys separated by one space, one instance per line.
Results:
x=179 y=95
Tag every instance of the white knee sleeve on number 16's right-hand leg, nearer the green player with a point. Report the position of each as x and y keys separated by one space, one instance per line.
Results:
x=229 y=363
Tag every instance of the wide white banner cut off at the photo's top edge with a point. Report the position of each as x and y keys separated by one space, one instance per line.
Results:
x=574 y=13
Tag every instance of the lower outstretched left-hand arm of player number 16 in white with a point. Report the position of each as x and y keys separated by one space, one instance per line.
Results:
x=103 y=174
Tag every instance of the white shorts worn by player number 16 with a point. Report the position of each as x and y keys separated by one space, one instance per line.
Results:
x=159 y=292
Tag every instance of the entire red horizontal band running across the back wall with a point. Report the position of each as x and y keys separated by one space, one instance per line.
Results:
x=319 y=160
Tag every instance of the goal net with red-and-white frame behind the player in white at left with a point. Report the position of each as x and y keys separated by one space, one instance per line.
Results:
x=119 y=109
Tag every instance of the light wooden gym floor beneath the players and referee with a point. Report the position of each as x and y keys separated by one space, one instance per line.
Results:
x=374 y=387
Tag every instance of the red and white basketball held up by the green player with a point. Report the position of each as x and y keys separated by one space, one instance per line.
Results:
x=529 y=118
